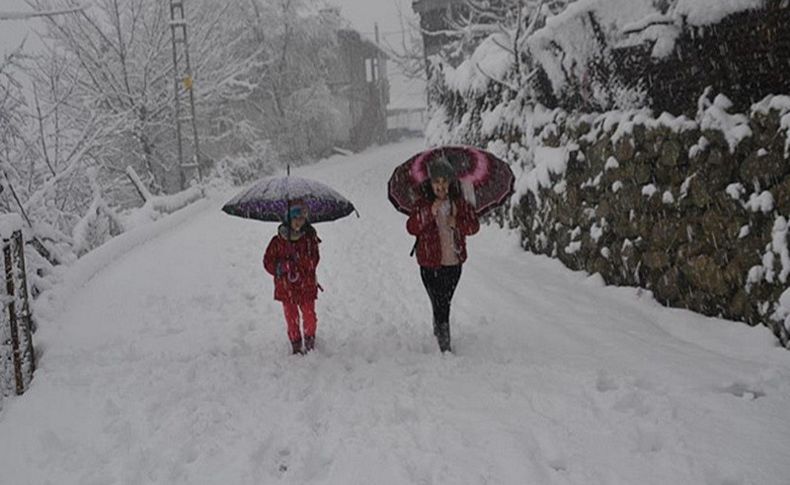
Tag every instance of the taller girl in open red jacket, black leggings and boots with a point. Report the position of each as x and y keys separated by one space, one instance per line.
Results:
x=441 y=221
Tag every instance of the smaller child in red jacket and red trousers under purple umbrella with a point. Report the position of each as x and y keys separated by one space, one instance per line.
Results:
x=291 y=258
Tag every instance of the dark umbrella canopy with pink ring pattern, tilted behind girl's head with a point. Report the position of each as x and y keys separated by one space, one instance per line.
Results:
x=485 y=181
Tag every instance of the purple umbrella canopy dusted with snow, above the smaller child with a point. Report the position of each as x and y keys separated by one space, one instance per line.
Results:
x=269 y=199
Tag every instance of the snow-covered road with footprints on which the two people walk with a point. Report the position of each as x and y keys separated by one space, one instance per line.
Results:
x=170 y=365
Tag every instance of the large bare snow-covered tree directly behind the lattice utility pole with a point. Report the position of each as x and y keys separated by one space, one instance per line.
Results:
x=118 y=57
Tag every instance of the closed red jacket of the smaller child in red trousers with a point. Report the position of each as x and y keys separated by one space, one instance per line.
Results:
x=293 y=266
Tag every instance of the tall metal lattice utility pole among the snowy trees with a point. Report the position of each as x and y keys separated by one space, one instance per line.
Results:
x=184 y=100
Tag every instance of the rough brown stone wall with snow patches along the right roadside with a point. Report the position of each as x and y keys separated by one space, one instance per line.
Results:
x=715 y=241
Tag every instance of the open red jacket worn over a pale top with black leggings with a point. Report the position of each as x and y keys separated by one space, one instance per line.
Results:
x=422 y=224
